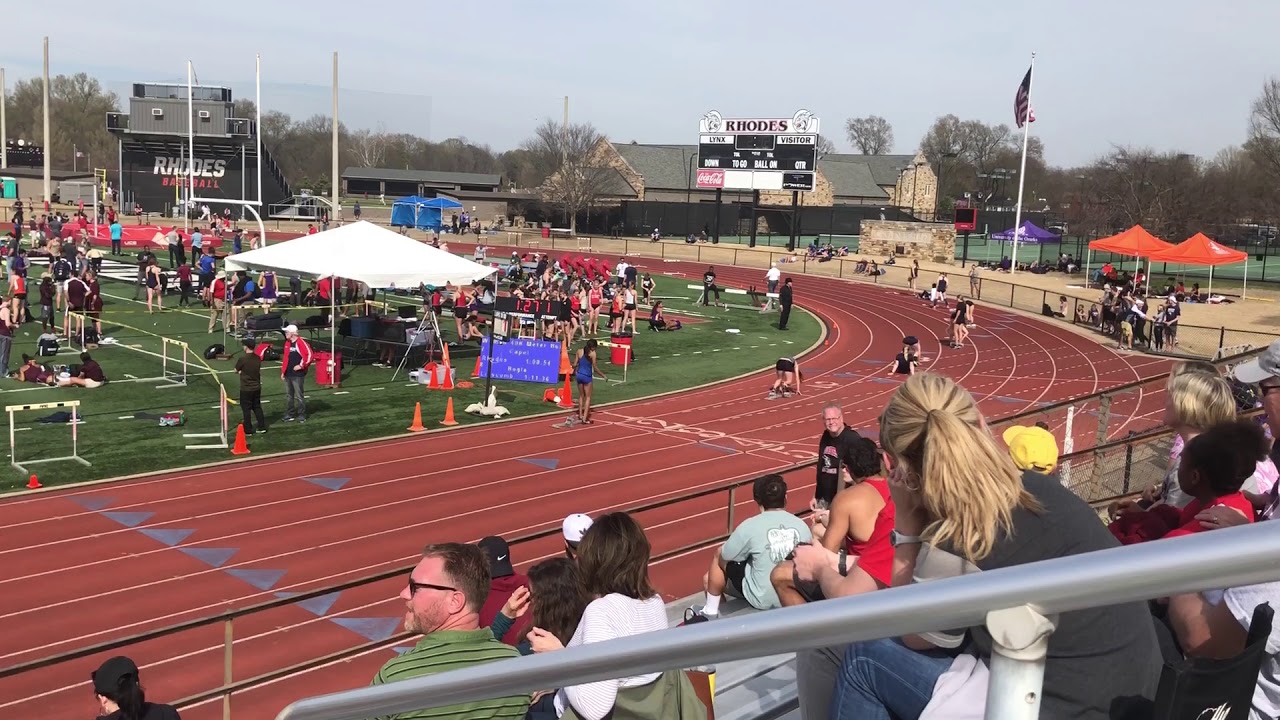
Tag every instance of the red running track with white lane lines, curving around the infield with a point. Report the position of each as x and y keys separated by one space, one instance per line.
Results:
x=94 y=564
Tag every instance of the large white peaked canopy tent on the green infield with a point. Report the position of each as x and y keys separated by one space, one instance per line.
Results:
x=364 y=253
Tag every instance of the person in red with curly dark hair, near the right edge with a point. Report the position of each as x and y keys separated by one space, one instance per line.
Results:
x=1213 y=468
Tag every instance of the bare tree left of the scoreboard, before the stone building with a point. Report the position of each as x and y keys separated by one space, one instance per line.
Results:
x=579 y=176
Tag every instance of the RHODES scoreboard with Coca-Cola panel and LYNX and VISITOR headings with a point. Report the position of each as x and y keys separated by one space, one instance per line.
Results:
x=758 y=153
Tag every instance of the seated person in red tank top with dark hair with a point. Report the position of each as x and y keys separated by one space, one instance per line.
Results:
x=854 y=534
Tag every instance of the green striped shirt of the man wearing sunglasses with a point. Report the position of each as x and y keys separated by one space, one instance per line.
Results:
x=452 y=650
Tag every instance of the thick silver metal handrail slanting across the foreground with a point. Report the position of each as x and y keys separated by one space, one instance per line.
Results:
x=1223 y=559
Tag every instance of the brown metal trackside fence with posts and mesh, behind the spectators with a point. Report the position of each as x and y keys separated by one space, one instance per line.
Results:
x=1096 y=475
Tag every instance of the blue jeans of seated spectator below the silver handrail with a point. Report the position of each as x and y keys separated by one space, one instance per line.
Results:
x=886 y=681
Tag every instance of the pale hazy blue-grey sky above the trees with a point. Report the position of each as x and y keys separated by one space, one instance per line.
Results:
x=1172 y=76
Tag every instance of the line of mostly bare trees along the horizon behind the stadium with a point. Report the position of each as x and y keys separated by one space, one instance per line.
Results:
x=1172 y=194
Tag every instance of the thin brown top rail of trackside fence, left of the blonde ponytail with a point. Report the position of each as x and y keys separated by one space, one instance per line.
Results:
x=363 y=581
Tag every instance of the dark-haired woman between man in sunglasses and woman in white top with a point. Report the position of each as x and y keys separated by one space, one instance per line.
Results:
x=555 y=599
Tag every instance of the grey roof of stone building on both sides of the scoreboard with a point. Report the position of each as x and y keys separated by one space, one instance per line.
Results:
x=671 y=167
